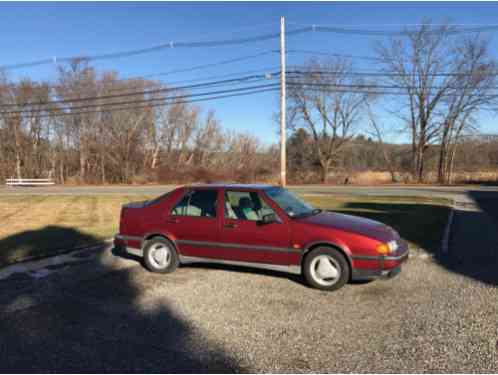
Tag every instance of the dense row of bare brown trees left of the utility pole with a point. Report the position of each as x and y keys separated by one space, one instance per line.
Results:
x=137 y=143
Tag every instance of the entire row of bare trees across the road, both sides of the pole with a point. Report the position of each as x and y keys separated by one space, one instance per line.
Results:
x=434 y=85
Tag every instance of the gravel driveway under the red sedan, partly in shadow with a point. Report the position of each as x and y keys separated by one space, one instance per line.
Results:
x=107 y=314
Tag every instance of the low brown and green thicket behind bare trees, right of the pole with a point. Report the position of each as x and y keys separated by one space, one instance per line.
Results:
x=364 y=154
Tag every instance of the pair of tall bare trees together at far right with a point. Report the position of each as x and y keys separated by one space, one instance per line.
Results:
x=445 y=79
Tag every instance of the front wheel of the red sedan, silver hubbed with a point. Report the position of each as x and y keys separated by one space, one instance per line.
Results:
x=326 y=268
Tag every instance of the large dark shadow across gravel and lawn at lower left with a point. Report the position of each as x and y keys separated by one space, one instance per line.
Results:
x=99 y=324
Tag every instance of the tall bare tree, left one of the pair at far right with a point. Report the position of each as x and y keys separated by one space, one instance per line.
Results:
x=414 y=65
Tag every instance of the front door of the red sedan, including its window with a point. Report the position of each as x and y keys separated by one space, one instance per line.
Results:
x=244 y=236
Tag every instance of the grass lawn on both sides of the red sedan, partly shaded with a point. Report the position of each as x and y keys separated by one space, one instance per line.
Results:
x=35 y=226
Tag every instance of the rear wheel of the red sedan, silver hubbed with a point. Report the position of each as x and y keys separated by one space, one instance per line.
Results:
x=160 y=255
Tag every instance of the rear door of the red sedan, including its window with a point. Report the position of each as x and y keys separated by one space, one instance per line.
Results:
x=194 y=221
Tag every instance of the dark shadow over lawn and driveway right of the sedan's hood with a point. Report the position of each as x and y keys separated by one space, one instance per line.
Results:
x=473 y=240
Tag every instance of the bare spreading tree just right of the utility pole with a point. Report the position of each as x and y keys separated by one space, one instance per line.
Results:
x=318 y=103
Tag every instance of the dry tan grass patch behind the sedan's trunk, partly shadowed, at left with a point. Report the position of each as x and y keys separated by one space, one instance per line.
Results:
x=36 y=226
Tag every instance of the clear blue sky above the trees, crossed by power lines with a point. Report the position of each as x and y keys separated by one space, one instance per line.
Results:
x=35 y=31
